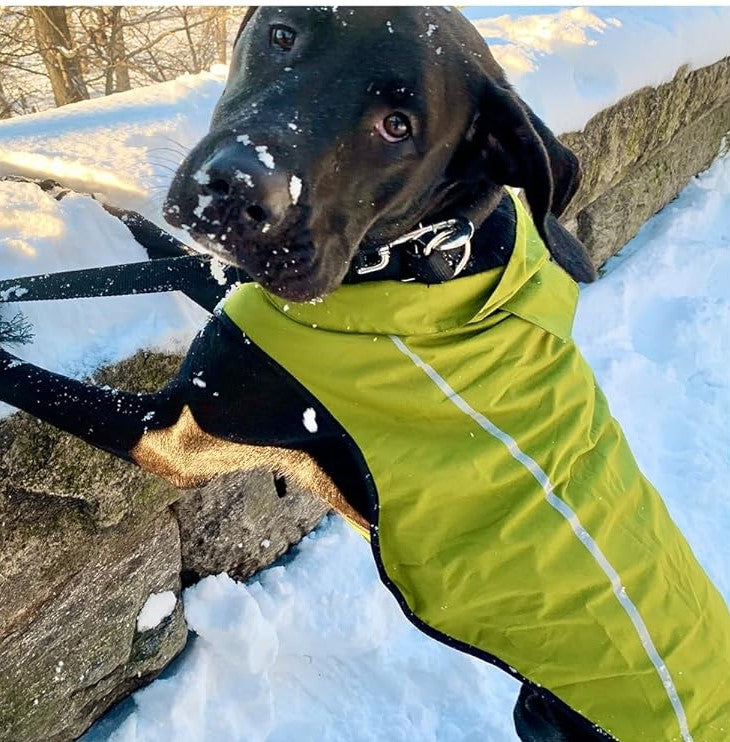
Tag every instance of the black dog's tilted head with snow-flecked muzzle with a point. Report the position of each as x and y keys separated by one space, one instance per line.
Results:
x=341 y=129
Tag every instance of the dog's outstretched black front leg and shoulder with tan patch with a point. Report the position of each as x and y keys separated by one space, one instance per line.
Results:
x=228 y=409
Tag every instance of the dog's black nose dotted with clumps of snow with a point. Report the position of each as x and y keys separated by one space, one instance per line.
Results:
x=239 y=182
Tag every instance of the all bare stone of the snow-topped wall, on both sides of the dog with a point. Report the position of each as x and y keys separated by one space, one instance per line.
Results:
x=85 y=539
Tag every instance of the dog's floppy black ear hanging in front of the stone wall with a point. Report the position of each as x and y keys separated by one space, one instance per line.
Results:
x=516 y=148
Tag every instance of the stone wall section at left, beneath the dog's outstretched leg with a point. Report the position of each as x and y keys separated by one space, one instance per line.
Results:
x=86 y=538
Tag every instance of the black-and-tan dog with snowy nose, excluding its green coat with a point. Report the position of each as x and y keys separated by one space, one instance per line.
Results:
x=338 y=133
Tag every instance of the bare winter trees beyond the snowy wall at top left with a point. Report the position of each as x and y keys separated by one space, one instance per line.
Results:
x=65 y=54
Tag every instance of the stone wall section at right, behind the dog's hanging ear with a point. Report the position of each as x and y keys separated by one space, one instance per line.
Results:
x=639 y=153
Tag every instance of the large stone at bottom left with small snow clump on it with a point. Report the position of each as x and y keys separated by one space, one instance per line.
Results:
x=68 y=600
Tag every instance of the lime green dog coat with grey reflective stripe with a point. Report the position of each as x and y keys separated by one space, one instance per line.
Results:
x=511 y=518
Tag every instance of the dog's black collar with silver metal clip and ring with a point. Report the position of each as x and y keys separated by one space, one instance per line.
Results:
x=410 y=259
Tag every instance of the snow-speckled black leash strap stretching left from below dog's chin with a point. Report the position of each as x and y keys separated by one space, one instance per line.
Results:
x=191 y=274
